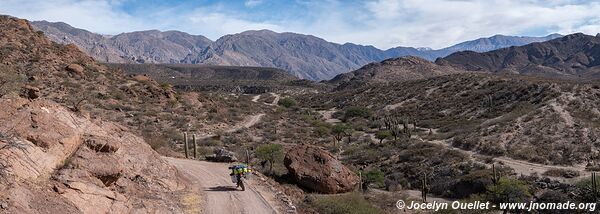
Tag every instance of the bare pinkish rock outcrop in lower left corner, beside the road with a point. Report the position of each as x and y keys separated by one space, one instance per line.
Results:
x=52 y=160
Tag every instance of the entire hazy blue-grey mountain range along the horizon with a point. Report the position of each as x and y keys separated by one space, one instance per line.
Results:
x=305 y=56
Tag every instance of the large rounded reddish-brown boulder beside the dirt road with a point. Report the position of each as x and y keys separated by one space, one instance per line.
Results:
x=316 y=169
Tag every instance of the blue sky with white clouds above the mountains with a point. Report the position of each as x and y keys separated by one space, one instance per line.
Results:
x=382 y=23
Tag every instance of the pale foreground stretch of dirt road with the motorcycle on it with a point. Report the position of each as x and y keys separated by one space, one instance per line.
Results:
x=220 y=194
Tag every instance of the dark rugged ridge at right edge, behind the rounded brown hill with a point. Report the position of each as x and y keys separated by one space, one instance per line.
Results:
x=572 y=56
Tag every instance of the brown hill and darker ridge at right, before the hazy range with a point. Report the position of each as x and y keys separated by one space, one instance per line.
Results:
x=574 y=56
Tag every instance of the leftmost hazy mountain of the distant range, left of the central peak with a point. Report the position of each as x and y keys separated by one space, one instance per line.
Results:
x=142 y=47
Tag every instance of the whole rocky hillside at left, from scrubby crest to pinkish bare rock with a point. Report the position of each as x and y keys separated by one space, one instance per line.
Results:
x=58 y=152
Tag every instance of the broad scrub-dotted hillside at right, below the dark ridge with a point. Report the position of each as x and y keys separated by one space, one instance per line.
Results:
x=500 y=115
